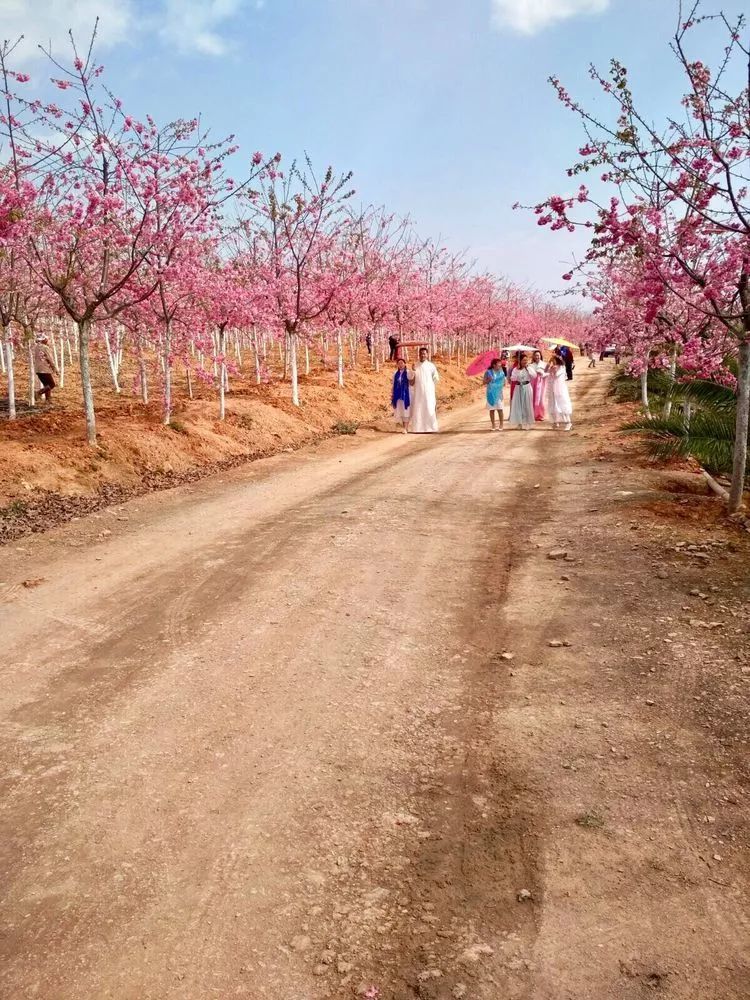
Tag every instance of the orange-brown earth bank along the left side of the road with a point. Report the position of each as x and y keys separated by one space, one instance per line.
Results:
x=48 y=474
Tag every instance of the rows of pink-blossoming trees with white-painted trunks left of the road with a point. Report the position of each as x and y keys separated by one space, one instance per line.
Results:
x=126 y=240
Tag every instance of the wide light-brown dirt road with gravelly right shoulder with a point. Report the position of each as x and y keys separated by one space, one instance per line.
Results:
x=299 y=732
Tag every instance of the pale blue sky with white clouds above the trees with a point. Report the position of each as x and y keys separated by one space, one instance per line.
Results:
x=440 y=107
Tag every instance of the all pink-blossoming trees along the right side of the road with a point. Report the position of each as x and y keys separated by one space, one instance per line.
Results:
x=669 y=260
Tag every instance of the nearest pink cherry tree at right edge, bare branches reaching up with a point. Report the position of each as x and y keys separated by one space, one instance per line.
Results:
x=679 y=211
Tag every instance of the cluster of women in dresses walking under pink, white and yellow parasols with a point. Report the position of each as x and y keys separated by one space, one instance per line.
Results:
x=538 y=391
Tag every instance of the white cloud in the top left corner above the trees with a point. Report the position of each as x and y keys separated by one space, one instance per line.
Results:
x=46 y=22
